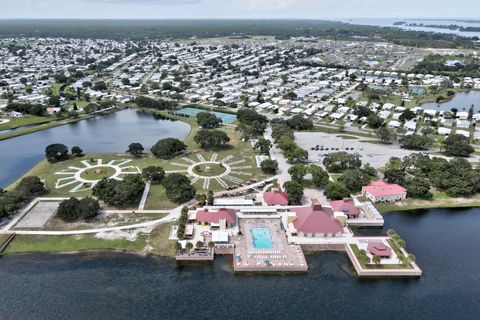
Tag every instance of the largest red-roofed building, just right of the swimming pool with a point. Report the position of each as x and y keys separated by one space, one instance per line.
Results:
x=315 y=221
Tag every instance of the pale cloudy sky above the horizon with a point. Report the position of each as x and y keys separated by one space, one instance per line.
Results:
x=243 y=9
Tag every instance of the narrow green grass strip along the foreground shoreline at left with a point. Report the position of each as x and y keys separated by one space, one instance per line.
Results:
x=25 y=243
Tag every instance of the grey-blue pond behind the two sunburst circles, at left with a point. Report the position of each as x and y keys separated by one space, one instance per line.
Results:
x=110 y=133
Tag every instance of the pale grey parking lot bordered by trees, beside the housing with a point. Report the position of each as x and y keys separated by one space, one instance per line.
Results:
x=377 y=155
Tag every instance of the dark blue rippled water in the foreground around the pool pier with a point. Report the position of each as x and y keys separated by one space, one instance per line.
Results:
x=122 y=286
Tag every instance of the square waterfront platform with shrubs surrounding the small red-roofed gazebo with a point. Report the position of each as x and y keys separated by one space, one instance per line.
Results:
x=403 y=267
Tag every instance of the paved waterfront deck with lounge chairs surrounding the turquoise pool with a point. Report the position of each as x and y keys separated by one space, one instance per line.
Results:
x=282 y=257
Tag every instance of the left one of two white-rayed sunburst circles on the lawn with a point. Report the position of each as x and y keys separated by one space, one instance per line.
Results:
x=87 y=174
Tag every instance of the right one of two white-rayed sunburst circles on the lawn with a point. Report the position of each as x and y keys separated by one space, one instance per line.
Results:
x=222 y=171
